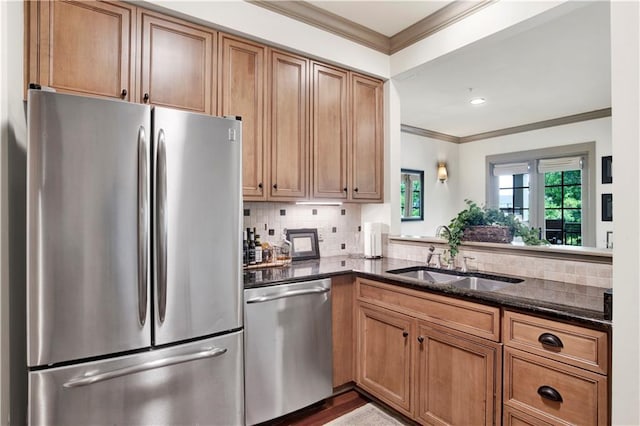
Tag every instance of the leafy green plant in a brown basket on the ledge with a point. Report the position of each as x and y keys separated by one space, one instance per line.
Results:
x=476 y=223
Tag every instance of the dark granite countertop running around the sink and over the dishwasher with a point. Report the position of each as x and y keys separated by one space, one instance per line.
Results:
x=572 y=302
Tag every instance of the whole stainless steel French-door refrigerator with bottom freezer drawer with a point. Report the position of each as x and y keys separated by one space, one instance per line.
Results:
x=134 y=274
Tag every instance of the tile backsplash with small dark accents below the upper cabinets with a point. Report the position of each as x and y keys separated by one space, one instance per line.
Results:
x=338 y=226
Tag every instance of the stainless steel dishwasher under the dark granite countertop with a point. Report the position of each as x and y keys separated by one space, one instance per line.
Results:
x=288 y=350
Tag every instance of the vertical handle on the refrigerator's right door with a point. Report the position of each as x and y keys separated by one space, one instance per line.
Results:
x=161 y=209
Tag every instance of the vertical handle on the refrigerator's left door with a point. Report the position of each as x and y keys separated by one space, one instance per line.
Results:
x=143 y=225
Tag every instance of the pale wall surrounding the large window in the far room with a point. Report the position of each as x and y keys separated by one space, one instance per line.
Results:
x=473 y=154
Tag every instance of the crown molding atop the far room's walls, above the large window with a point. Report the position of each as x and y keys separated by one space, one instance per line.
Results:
x=569 y=119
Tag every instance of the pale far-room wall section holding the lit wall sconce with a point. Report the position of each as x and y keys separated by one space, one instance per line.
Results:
x=441 y=200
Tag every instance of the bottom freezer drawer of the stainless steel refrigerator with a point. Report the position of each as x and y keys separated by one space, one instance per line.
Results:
x=194 y=383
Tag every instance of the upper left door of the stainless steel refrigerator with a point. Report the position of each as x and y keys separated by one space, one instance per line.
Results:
x=88 y=180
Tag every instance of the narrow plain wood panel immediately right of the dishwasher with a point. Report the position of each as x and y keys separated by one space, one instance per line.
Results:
x=343 y=326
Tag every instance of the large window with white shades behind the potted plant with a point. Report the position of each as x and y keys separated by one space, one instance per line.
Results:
x=547 y=189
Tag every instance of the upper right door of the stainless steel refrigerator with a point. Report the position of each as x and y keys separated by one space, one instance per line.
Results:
x=198 y=198
